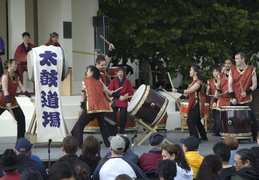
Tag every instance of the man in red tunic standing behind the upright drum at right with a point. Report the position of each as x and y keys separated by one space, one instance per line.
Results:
x=242 y=81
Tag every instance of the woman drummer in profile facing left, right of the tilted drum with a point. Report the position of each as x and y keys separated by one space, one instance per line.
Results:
x=196 y=95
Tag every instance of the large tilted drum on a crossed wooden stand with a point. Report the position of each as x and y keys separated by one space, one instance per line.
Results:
x=148 y=105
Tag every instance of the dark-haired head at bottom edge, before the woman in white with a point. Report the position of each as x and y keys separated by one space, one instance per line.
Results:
x=166 y=169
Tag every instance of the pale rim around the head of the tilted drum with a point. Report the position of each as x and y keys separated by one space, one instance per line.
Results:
x=141 y=101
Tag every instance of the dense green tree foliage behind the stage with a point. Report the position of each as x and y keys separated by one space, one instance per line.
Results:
x=181 y=33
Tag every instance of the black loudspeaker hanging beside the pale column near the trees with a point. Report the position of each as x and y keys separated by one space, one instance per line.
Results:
x=101 y=27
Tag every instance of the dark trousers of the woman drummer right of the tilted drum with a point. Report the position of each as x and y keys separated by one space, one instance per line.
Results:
x=194 y=123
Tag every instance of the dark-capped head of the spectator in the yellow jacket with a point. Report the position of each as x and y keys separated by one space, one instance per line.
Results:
x=190 y=143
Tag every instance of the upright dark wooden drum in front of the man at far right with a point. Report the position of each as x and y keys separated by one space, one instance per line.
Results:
x=235 y=121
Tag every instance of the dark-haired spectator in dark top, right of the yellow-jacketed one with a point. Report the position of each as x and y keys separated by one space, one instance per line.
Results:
x=222 y=150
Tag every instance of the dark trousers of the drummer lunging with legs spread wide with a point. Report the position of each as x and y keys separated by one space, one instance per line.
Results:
x=83 y=120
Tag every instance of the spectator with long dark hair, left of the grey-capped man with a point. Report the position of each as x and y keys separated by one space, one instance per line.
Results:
x=91 y=152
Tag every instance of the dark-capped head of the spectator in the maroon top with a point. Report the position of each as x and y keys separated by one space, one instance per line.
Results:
x=156 y=141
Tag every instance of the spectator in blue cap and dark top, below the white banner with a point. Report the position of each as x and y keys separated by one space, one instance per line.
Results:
x=23 y=149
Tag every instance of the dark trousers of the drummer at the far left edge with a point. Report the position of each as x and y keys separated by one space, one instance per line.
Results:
x=20 y=118
